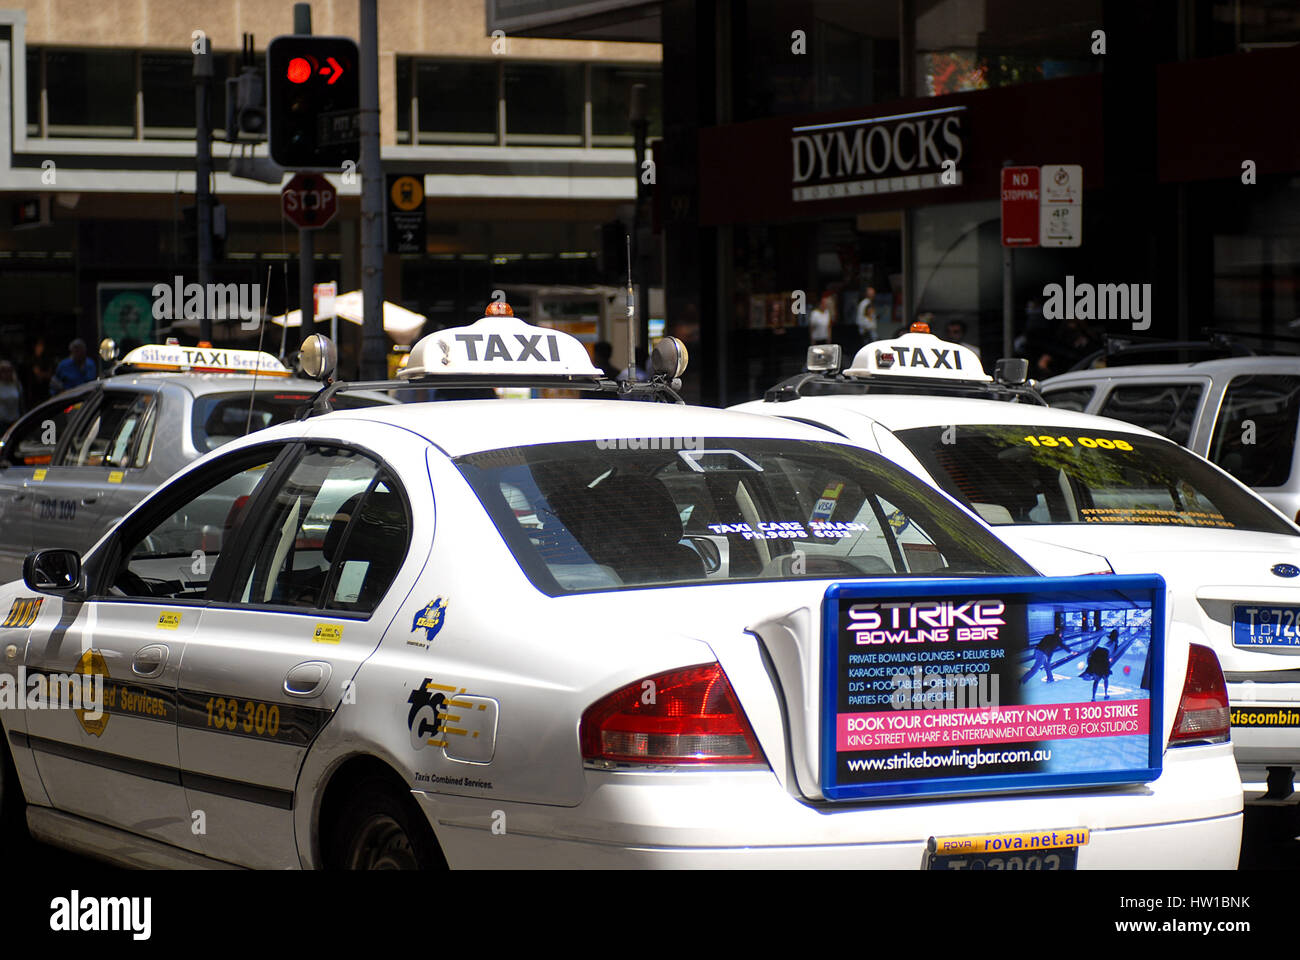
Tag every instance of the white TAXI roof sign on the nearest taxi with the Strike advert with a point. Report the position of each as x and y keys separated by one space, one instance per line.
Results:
x=500 y=347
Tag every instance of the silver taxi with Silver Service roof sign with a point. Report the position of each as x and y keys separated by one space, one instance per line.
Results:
x=76 y=465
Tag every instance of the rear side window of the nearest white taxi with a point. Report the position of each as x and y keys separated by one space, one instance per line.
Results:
x=333 y=537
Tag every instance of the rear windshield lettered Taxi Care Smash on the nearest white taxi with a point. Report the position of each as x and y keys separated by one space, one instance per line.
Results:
x=609 y=514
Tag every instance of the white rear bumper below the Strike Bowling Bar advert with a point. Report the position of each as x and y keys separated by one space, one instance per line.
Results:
x=1189 y=819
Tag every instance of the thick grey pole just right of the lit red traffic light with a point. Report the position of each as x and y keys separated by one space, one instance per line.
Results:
x=374 y=348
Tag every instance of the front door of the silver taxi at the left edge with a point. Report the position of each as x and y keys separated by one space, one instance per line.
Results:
x=25 y=462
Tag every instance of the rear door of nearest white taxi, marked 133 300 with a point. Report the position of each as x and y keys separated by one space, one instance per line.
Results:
x=317 y=586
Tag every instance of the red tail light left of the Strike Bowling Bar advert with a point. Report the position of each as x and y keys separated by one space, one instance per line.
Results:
x=688 y=716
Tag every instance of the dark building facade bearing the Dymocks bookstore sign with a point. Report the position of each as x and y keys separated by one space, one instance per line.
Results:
x=805 y=144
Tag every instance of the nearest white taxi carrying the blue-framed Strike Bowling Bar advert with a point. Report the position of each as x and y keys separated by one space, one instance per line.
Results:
x=565 y=633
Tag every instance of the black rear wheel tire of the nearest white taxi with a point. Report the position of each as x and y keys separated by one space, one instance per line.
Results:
x=382 y=828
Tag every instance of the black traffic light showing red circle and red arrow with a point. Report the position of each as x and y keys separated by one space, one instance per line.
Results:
x=314 y=103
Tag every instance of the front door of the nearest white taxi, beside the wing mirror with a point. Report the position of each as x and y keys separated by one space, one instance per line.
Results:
x=149 y=586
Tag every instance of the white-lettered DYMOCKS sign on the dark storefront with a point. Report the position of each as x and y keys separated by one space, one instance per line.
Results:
x=882 y=155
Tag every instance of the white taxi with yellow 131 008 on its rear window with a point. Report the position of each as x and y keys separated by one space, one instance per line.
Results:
x=1051 y=478
